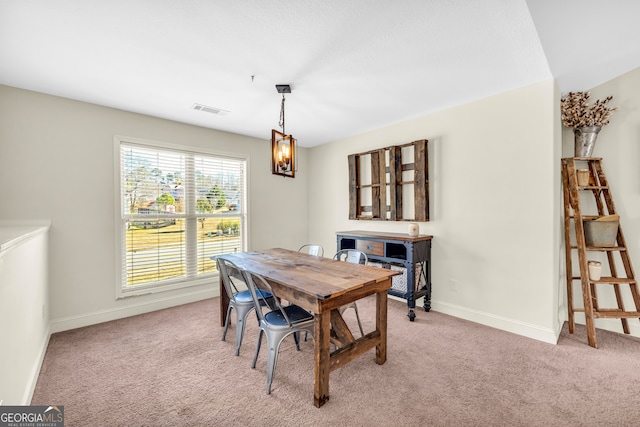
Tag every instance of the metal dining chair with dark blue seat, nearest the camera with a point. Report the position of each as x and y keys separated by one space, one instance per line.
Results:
x=277 y=323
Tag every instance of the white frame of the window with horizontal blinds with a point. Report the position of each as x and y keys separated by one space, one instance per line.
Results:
x=120 y=230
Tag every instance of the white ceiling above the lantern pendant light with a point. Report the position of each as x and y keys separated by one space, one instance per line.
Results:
x=353 y=65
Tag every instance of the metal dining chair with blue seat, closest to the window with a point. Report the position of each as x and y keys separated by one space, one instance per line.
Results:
x=240 y=301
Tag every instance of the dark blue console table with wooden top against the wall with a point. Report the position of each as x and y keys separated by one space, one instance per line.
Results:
x=397 y=251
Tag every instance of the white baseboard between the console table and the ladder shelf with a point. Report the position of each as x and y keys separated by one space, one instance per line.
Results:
x=536 y=332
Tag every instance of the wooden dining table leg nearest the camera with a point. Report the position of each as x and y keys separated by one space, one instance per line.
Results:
x=322 y=358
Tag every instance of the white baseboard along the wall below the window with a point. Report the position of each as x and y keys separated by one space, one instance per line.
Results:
x=87 y=319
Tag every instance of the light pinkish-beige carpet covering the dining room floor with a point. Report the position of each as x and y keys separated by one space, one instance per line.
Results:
x=170 y=368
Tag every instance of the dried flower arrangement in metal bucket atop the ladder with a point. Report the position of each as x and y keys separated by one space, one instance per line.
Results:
x=576 y=111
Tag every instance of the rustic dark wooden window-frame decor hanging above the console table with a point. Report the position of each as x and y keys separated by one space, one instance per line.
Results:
x=389 y=177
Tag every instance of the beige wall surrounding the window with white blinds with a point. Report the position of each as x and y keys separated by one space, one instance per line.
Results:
x=56 y=163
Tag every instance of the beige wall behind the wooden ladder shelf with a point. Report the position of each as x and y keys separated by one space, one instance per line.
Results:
x=619 y=146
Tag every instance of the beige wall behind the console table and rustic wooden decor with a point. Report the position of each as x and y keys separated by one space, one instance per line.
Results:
x=495 y=206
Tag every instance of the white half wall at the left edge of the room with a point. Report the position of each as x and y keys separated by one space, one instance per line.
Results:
x=24 y=308
